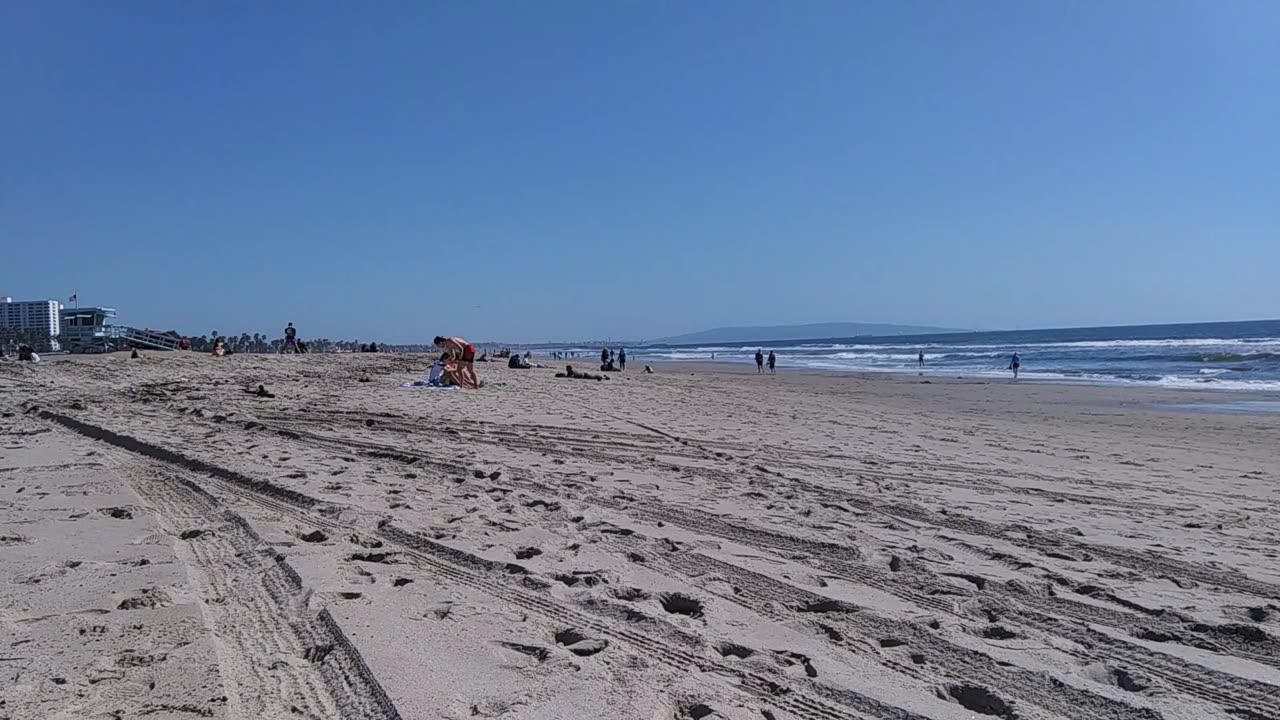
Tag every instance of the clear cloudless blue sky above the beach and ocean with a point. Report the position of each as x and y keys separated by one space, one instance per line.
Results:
x=573 y=170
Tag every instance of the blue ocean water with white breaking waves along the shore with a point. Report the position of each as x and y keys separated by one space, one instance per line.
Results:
x=1244 y=357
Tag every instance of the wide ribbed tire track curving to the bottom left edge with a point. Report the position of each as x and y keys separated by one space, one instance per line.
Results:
x=275 y=655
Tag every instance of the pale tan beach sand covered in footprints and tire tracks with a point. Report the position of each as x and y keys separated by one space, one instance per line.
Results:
x=696 y=544
